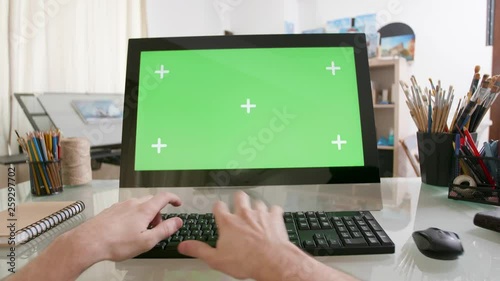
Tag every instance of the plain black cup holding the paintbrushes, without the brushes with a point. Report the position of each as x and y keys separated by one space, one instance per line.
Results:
x=435 y=154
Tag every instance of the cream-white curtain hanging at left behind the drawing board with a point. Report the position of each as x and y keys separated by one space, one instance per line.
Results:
x=64 y=46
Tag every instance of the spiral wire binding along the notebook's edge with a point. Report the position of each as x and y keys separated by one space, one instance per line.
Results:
x=36 y=229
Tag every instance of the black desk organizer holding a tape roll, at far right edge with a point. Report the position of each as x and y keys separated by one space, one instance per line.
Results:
x=476 y=179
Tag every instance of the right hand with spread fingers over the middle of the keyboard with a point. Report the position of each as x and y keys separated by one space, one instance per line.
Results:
x=247 y=239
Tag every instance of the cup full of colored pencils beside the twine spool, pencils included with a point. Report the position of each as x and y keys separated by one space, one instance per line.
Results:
x=42 y=151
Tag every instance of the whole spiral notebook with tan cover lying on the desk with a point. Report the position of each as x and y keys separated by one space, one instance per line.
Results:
x=33 y=219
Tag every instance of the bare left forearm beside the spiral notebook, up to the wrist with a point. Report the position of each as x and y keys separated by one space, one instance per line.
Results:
x=64 y=259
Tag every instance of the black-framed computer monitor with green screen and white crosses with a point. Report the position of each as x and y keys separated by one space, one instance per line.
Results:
x=248 y=110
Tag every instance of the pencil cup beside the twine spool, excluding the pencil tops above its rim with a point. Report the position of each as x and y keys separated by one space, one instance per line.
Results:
x=45 y=178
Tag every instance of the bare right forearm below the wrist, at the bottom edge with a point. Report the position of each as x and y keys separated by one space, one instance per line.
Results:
x=292 y=264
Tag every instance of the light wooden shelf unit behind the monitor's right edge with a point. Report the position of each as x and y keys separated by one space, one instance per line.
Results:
x=390 y=112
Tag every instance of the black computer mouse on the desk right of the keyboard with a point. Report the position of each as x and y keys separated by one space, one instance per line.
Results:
x=438 y=244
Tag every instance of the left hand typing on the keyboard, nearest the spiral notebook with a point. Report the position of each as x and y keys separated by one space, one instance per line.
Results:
x=121 y=231
